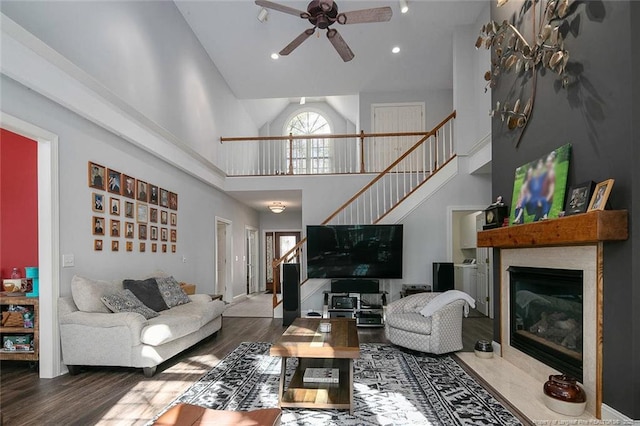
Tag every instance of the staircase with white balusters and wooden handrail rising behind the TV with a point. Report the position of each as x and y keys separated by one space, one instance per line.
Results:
x=421 y=163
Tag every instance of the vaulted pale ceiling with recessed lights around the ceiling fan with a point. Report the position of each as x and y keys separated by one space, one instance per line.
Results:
x=240 y=46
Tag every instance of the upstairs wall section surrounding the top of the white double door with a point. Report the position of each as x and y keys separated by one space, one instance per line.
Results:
x=439 y=105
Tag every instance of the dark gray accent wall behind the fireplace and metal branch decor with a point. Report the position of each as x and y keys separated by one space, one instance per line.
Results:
x=598 y=115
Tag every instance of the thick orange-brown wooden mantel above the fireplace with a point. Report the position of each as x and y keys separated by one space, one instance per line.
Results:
x=587 y=228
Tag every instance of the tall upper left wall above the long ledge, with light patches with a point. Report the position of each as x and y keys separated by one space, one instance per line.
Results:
x=145 y=53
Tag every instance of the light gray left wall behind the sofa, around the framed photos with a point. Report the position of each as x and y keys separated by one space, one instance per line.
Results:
x=81 y=141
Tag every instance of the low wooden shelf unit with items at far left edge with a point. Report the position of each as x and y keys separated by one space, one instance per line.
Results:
x=19 y=330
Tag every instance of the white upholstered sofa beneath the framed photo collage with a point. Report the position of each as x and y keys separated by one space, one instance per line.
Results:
x=96 y=336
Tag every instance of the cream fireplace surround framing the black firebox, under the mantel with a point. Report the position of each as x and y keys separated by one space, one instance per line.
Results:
x=582 y=258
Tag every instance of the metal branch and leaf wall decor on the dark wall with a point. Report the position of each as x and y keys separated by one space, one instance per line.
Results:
x=512 y=53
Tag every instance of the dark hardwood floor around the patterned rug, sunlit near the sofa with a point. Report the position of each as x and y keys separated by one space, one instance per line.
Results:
x=123 y=396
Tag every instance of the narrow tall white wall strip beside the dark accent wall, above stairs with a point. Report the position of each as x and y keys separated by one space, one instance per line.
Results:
x=471 y=102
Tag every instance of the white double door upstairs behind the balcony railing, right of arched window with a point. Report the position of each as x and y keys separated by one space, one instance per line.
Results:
x=394 y=118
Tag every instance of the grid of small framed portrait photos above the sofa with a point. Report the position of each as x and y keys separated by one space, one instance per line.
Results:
x=129 y=210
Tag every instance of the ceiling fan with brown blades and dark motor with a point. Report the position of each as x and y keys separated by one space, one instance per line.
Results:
x=323 y=14
